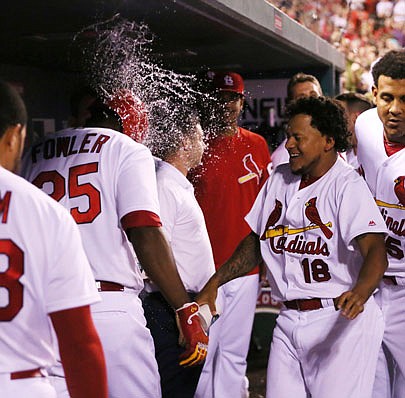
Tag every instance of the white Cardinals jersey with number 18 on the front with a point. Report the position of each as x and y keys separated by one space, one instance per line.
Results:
x=308 y=235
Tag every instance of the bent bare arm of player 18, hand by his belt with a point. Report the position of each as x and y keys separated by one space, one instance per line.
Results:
x=372 y=248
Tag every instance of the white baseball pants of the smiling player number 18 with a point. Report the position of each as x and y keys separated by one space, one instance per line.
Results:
x=321 y=354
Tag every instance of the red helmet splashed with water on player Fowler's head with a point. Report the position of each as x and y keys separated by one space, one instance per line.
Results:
x=132 y=112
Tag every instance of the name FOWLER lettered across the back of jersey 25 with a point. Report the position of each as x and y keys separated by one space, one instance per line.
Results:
x=69 y=145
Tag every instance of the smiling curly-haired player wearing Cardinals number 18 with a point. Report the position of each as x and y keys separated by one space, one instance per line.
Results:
x=325 y=257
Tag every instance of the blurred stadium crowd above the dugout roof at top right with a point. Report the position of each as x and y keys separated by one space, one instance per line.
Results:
x=363 y=30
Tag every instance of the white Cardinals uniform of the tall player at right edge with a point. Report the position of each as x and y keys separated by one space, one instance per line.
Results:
x=383 y=165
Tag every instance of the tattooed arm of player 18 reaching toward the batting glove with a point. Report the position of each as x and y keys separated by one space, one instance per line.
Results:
x=245 y=257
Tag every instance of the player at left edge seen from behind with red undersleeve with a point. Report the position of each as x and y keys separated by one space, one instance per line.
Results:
x=43 y=272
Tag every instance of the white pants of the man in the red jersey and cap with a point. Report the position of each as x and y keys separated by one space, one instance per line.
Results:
x=224 y=371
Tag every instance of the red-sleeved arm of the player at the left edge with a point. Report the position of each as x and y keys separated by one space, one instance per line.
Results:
x=81 y=353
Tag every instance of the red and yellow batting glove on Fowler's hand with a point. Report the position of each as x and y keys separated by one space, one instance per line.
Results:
x=192 y=336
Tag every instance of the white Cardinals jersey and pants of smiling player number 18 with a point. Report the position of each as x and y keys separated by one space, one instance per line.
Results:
x=310 y=251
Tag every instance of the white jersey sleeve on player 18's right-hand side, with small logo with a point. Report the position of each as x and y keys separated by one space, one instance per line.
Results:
x=358 y=213
